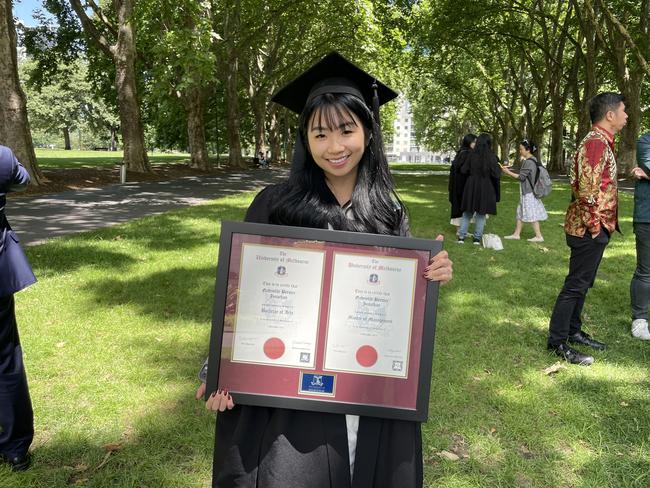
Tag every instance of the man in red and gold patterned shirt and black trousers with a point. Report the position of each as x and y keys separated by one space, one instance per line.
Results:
x=590 y=220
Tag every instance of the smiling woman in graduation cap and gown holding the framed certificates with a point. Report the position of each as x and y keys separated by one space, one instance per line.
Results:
x=339 y=180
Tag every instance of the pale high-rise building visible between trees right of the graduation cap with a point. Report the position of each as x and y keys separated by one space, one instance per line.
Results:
x=403 y=148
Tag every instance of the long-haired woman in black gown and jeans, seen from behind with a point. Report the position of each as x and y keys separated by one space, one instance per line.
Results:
x=481 y=192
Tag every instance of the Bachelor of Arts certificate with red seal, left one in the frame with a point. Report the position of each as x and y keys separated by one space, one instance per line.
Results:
x=278 y=306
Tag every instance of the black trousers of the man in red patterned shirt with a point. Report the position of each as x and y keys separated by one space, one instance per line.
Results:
x=586 y=254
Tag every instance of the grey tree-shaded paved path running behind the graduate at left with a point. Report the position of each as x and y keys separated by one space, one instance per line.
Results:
x=36 y=219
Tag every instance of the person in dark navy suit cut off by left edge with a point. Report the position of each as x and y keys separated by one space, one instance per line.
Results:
x=16 y=417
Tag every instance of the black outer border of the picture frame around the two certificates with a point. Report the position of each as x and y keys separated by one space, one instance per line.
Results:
x=230 y=228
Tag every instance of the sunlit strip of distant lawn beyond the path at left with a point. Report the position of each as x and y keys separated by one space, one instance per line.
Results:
x=60 y=159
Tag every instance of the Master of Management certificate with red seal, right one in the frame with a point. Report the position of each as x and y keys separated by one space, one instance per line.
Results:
x=370 y=315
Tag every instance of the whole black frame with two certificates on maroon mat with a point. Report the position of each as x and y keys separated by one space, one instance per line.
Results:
x=323 y=320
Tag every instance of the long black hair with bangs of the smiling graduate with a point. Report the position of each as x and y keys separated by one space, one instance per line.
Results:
x=306 y=200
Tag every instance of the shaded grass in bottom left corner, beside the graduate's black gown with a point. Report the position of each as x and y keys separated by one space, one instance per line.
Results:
x=169 y=446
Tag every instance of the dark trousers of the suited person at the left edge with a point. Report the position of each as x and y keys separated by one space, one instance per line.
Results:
x=16 y=416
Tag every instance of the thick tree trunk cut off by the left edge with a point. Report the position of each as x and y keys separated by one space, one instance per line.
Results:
x=14 y=125
